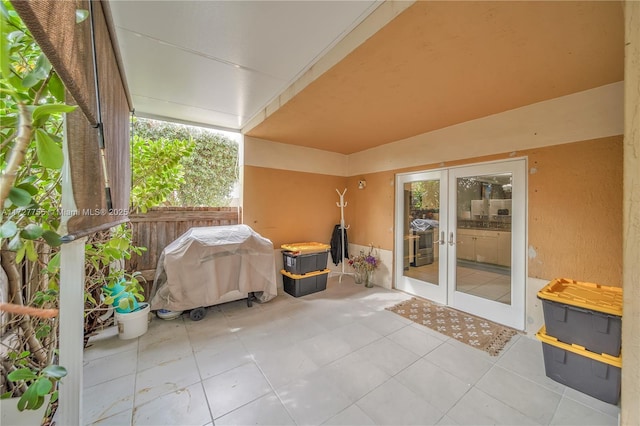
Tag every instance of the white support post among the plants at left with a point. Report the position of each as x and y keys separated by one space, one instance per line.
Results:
x=71 y=331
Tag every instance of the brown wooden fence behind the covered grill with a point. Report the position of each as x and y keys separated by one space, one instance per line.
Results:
x=160 y=226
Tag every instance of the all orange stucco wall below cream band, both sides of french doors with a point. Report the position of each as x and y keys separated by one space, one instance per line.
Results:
x=574 y=204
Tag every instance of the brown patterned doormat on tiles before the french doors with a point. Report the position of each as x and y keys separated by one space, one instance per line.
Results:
x=474 y=331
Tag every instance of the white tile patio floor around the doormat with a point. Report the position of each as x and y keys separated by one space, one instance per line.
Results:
x=335 y=358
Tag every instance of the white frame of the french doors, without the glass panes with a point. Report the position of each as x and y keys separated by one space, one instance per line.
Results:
x=512 y=314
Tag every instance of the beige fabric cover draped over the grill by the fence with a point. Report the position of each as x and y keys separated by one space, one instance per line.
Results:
x=206 y=263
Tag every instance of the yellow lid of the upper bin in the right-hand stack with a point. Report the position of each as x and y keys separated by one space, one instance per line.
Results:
x=584 y=295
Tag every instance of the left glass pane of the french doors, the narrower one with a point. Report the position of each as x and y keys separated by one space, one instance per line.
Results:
x=421 y=230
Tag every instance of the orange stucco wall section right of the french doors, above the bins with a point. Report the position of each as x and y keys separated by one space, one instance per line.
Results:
x=575 y=211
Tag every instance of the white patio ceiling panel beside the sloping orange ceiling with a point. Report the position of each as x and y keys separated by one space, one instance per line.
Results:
x=219 y=63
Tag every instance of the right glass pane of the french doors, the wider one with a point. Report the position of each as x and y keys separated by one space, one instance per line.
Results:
x=483 y=243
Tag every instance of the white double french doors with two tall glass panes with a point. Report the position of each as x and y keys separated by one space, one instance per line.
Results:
x=461 y=238
